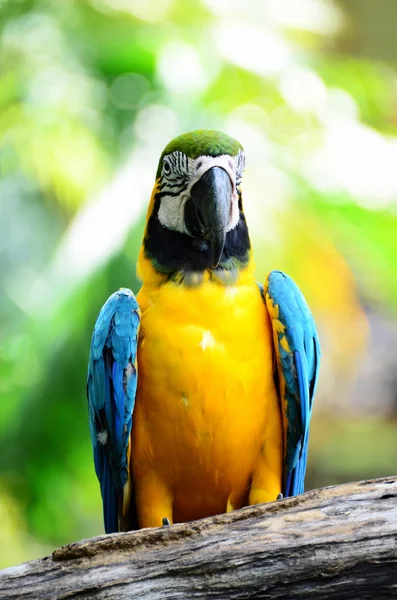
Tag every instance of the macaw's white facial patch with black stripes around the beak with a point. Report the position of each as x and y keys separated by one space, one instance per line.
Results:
x=183 y=174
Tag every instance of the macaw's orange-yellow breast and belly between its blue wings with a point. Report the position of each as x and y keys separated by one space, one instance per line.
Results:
x=205 y=393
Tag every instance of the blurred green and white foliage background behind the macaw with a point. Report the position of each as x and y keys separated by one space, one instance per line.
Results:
x=90 y=92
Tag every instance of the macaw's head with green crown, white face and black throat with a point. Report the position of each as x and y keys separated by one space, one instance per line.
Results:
x=195 y=221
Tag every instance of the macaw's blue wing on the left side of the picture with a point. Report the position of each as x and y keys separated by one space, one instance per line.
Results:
x=111 y=388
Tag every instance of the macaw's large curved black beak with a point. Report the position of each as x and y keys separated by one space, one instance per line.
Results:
x=207 y=211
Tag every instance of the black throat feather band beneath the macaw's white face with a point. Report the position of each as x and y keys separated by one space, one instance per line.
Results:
x=172 y=252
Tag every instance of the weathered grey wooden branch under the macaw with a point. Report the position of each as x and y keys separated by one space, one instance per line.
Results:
x=338 y=542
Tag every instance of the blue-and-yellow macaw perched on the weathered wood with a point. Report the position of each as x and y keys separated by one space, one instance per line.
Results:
x=200 y=389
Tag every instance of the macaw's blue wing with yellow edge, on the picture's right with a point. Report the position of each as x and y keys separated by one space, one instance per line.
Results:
x=297 y=353
